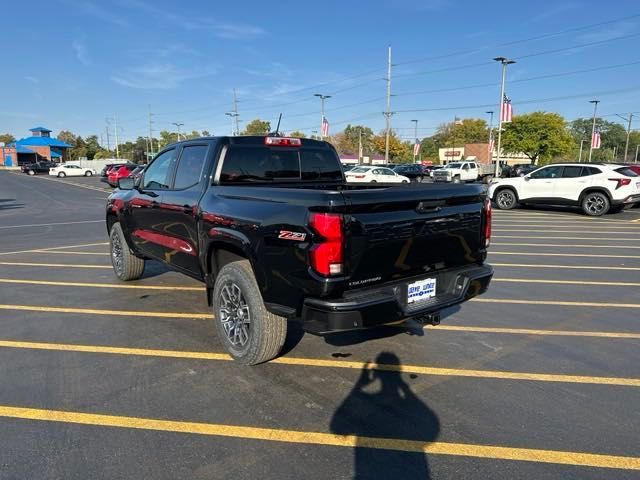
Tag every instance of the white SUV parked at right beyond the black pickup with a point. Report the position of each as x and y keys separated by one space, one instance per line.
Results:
x=597 y=188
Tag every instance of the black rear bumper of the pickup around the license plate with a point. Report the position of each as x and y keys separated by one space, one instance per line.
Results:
x=387 y=304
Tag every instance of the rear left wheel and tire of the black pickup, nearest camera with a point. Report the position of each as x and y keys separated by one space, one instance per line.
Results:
x=250 y=333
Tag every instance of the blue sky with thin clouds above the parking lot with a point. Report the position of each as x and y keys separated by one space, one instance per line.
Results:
x=70 y=64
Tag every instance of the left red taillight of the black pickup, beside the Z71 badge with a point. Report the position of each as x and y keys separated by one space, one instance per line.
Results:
x=326 y=254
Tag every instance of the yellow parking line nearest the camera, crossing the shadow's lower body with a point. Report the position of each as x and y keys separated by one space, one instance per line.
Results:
x=326 y=439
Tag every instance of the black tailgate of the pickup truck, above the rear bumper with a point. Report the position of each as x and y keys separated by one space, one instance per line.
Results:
x=393 y=233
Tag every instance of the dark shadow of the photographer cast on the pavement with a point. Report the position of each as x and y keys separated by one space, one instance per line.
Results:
x=381 y=405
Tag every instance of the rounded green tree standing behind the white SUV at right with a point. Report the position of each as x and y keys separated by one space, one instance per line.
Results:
x=541 y=136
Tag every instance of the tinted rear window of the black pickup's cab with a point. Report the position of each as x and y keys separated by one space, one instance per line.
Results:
x=250 y=164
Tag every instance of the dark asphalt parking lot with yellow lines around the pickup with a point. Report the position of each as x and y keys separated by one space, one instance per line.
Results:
x=539 y=378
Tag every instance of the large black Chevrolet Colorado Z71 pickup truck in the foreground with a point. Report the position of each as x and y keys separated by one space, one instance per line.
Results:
x=275 y=233
